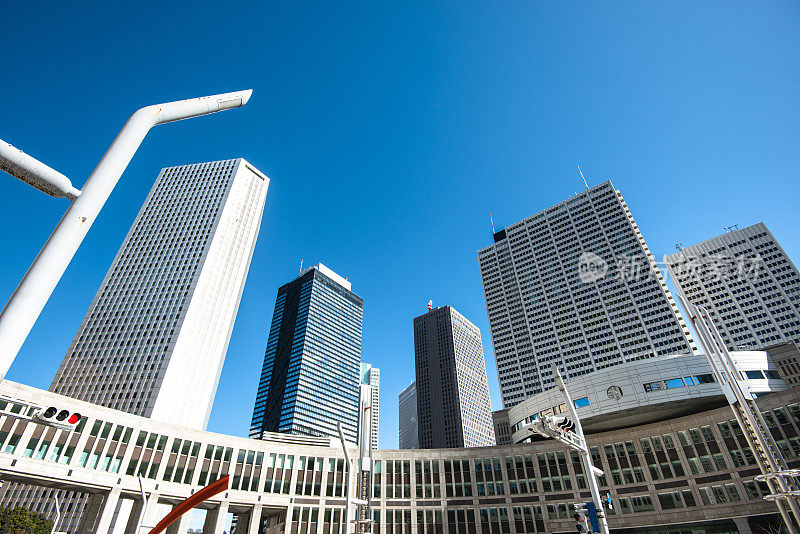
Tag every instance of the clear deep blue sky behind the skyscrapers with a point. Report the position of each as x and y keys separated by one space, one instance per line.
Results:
x=390 y=131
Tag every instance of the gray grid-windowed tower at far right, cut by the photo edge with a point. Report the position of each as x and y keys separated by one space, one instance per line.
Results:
x=747 y=283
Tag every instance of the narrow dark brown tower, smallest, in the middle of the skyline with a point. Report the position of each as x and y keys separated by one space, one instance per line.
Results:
x=453 y=405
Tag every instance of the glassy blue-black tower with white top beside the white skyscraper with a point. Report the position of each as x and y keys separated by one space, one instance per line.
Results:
x=311 y=374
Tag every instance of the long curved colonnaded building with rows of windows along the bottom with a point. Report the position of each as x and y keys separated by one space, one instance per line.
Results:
x=690 y=469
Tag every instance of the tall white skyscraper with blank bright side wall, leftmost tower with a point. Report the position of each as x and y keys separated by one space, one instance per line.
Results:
x=155 y=336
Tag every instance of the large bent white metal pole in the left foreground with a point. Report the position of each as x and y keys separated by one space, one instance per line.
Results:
x=32 y=293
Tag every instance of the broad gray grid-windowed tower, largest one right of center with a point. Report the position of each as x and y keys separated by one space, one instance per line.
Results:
x=575 y=285
